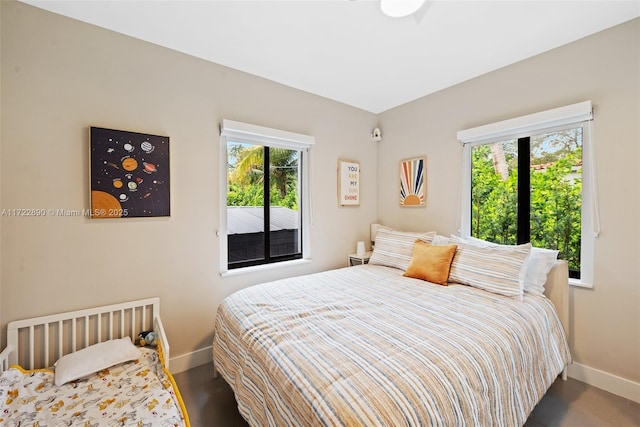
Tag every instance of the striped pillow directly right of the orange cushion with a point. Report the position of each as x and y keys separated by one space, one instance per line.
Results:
x=495 y=269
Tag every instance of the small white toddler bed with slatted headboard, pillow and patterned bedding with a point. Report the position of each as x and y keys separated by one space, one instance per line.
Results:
x=82 y=368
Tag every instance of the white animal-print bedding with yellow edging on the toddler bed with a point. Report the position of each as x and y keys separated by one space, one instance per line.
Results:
x=136 y=393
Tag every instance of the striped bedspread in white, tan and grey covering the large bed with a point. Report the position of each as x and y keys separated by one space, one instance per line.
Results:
x=364 y=346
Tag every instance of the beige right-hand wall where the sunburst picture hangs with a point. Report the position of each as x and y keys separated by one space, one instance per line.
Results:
x=604 y=68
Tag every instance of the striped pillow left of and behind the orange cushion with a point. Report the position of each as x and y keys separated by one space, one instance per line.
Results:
x=395 y=248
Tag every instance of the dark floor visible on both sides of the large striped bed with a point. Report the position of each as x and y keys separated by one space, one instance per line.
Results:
x=571 y=403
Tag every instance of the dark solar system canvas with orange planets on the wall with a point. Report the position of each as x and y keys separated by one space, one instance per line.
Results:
x=129 y=174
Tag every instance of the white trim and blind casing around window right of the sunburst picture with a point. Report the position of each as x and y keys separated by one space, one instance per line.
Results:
x=574 y=115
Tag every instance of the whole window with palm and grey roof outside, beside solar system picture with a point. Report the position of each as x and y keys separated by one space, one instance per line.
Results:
x=265 y=213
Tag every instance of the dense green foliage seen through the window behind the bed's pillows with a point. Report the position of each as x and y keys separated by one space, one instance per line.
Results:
x=556 y=193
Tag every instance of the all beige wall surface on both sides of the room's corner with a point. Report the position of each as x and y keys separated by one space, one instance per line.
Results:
x=60 y=76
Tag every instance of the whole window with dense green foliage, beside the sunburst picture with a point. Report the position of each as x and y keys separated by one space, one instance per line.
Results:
x=529 y=180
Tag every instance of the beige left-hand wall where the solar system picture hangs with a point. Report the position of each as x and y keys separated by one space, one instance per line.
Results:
x=59 y=77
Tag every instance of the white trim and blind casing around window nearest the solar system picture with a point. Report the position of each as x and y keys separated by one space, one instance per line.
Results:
x=260 y=135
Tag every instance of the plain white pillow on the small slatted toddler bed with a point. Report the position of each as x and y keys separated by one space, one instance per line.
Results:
x=93 y=359
